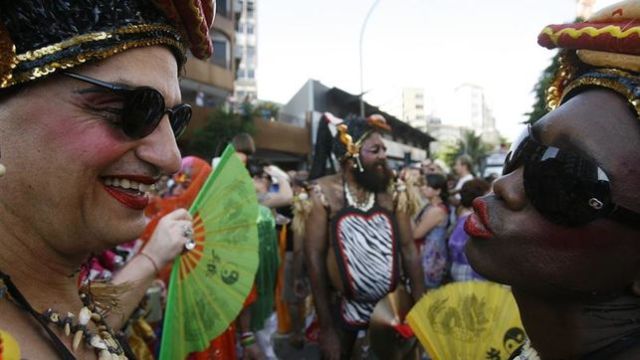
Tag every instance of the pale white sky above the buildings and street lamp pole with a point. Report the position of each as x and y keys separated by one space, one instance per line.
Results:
x=437 y=45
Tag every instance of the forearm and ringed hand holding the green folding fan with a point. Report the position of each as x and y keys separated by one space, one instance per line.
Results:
x=170 y=238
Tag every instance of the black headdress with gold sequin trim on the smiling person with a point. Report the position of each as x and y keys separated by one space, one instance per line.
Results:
x=39 y=37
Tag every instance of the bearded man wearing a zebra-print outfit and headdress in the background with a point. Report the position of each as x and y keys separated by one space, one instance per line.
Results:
x=358 y=242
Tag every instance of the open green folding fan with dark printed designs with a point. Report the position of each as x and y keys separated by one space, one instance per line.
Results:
x=210 y=283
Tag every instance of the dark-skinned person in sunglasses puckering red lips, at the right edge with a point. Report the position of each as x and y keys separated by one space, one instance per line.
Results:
x=562 y=226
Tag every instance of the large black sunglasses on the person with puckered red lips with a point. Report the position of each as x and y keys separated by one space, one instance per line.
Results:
x=566 y=188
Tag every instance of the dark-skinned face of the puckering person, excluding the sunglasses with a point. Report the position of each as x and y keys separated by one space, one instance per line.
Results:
x=527 y=251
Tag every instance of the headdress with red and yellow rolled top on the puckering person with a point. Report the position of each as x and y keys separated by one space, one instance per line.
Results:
x=603 y=51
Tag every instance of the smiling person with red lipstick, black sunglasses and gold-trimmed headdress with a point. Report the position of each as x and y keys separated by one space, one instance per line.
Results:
x=90 y=109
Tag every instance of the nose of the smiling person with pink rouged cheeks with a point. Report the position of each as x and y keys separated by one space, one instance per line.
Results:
x=160 y=149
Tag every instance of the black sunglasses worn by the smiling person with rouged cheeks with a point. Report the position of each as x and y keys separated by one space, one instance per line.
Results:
x=143 y=108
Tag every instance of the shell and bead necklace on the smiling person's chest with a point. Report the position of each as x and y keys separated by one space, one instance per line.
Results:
x=103 y=340
